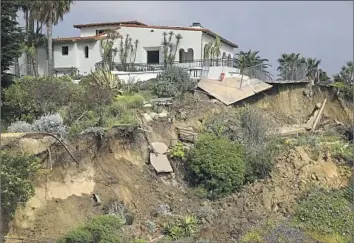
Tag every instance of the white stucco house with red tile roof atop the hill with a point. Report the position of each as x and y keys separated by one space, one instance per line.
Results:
x=81 y=53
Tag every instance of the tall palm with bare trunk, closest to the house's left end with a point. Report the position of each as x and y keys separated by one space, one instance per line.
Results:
x=50 y=13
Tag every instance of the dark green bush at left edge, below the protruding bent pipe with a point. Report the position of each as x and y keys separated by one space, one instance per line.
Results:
x=16 y=187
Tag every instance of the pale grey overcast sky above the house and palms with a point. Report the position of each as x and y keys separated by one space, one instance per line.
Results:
x=322 y=29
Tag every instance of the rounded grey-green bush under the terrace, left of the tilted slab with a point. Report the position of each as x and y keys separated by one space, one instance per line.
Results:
x=172 y=82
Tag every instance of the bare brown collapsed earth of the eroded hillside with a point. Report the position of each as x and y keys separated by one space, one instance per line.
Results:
x=116 y=167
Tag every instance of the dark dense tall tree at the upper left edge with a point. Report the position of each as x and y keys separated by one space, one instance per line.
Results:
x=11 y=39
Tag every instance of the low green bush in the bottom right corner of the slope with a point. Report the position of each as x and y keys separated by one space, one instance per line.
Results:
x=323 y=212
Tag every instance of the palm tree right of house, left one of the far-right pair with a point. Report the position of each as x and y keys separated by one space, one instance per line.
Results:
x=291 y=67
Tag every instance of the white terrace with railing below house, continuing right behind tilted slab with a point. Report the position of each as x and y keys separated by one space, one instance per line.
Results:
x=206 y=68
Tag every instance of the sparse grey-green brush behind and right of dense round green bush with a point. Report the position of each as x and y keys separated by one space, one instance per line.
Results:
x=250 y=127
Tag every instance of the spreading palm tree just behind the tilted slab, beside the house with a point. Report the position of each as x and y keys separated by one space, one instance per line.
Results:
x=252 y=65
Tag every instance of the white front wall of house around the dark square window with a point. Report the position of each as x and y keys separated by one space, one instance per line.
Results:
x=152 y=40
